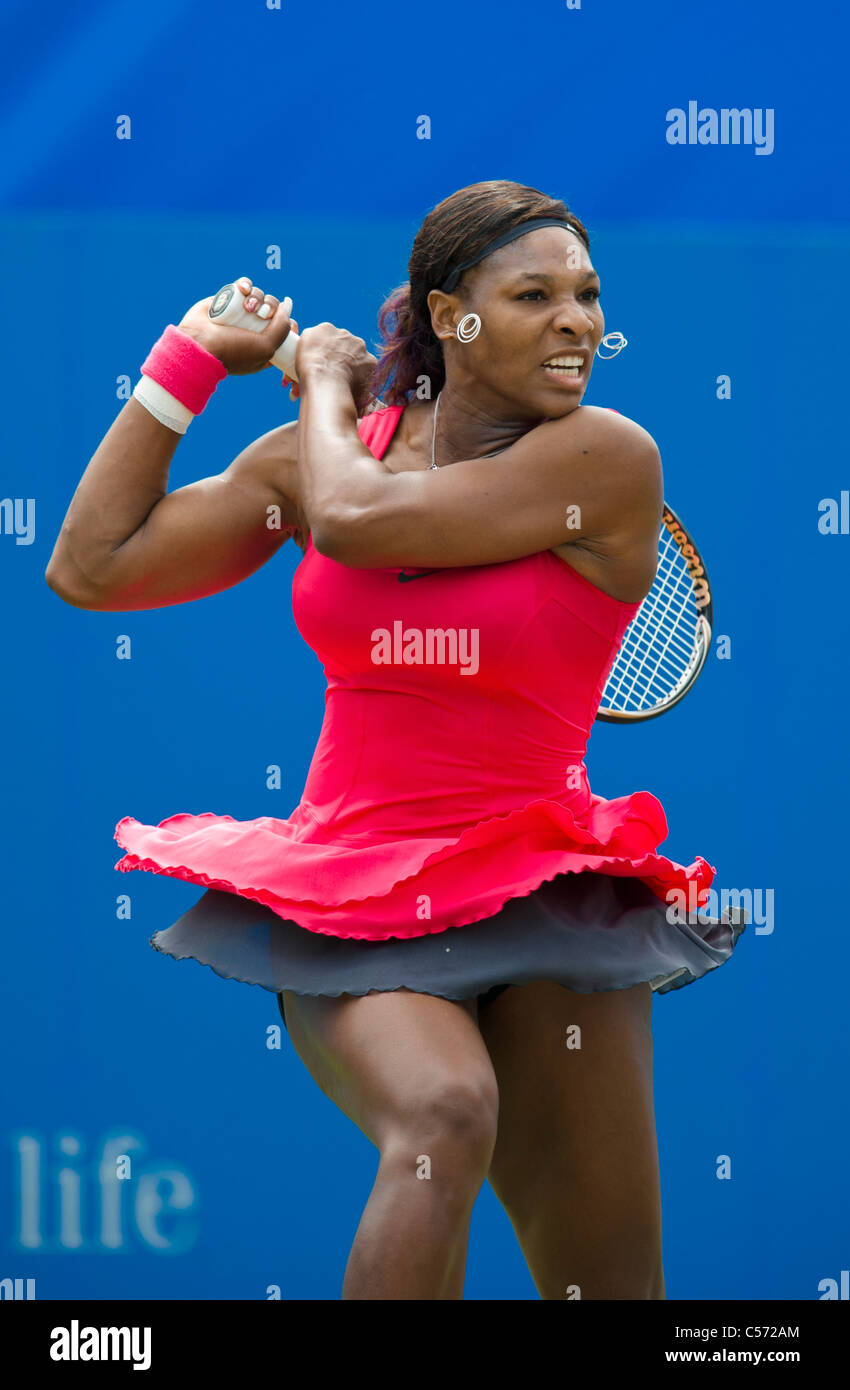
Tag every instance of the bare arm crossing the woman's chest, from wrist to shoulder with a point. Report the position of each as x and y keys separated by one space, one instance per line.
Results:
x=592 y=477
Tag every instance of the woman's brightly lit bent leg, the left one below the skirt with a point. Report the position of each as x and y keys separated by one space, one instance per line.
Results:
x=413 y=1074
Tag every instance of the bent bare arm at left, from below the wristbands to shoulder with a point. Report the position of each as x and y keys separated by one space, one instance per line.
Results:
x=128 y=544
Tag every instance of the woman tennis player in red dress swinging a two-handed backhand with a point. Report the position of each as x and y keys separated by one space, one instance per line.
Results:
x=463 y=938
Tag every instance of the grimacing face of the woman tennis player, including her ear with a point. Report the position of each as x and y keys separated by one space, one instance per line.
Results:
x=538 y=300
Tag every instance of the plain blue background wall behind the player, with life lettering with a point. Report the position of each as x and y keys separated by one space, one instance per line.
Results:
x=299 y=127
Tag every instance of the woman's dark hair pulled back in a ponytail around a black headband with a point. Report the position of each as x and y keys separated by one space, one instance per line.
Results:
x=453 y=231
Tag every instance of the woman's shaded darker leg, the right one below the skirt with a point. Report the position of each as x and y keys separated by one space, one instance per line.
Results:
x=576 y=1164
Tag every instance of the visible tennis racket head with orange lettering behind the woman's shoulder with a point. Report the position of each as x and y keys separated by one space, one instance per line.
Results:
x=666 y=644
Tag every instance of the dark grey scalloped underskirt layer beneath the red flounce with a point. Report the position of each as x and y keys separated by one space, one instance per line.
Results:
x=584 y=931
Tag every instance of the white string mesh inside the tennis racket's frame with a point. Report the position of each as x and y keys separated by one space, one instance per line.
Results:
x=662 y=644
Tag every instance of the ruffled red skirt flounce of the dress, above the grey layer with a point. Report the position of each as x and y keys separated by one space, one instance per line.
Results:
x=413 y=886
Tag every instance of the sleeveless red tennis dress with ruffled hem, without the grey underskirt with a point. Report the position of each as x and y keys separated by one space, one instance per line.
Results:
x=449 y=775
